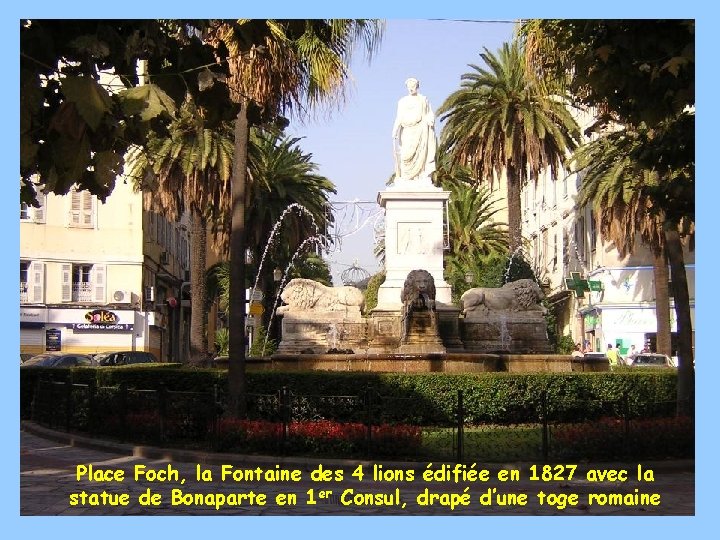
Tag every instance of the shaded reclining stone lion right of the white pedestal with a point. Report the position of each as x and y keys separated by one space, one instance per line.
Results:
x=520 y=295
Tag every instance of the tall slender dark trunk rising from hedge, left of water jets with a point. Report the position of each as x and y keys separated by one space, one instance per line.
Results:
x=237 y=385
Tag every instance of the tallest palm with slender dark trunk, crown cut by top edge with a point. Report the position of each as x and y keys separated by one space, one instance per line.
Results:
x=275 y=66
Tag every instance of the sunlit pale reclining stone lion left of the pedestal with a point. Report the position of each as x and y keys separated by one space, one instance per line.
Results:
x=307 y=295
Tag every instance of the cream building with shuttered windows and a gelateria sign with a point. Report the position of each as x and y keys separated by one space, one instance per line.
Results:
x=97 y=277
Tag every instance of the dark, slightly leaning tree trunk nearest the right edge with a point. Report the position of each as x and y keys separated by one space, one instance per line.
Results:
x=686 y=360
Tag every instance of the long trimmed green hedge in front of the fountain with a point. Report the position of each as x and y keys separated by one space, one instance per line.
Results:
x=419 y=399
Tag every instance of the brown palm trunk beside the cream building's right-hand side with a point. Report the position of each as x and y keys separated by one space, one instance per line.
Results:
x=198 y=292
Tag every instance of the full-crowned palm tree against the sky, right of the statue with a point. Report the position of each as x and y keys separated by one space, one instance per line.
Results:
x=501 y=122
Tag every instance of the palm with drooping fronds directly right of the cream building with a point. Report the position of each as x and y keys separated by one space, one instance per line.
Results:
x=188 y=168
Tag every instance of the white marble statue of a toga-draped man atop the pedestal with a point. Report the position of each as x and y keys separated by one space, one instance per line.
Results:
x=414 y=131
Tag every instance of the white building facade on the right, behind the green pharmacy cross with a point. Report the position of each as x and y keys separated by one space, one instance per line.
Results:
x=564 y=244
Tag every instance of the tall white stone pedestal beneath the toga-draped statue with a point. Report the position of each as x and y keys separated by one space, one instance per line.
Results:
x=414 y=238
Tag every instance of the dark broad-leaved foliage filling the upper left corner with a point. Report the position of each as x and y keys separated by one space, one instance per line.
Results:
x=76 y=125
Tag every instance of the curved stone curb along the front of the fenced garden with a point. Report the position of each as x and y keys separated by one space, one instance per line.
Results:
x=219 y=458
